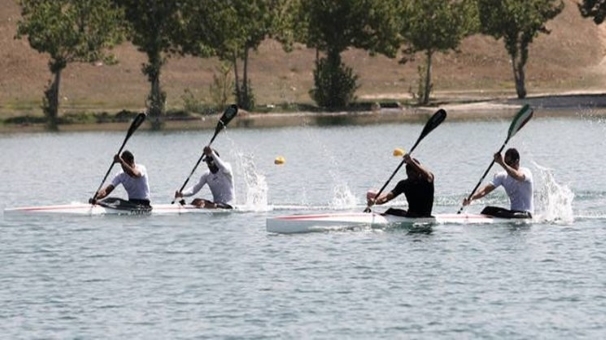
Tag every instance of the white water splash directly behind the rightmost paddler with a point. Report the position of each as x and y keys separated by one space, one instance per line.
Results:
x=554 y=199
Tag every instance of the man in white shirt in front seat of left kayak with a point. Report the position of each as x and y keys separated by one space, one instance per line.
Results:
x=133 y=178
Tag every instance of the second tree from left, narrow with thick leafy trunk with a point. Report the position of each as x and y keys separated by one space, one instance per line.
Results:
x=152 y=27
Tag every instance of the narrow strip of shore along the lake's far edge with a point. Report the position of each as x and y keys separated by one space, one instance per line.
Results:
x=558 y=105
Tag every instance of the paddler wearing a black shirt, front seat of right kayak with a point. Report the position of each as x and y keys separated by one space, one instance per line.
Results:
x=418 y=188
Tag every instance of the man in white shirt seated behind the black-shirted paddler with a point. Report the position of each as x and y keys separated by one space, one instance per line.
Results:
x=518 y=184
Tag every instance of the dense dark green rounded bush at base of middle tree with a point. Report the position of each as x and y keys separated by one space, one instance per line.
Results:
x=334 y=84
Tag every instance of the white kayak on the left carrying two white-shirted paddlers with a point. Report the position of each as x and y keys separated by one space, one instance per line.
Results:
x=88 y=209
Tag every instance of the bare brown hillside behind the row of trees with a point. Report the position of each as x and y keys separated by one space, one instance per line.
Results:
x=569 y=59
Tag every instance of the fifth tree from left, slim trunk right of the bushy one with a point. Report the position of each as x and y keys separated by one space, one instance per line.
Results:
x=434 y=26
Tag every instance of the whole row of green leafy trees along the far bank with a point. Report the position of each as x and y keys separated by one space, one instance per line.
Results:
x=86 y=30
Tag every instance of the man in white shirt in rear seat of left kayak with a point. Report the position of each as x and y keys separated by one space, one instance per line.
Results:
x=220 y=180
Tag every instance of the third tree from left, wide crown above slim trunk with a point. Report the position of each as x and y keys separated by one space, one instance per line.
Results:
x=231 y=30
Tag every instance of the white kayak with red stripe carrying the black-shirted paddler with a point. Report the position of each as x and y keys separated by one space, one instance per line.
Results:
x=291 y=224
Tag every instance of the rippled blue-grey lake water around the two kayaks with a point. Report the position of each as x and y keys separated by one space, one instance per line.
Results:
x=223 y=276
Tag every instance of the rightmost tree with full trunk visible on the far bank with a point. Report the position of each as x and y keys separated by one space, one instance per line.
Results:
x=518 y=22
